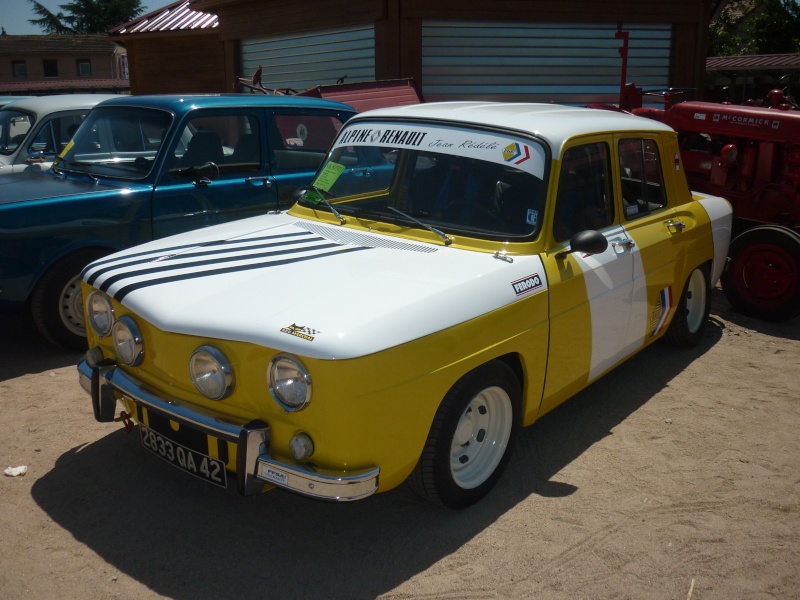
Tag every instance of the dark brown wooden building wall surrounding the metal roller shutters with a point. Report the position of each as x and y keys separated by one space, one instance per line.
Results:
x=174 y=63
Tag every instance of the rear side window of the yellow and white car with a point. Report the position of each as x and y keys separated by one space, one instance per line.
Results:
x=642 y=182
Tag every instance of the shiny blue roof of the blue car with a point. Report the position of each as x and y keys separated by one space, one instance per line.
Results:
x=183 y=103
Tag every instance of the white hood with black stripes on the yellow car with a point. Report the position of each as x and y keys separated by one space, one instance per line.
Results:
x=308 y=288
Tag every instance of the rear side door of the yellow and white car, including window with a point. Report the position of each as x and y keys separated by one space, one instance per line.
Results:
x=656 y=231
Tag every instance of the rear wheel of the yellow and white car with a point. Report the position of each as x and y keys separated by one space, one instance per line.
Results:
x=691 y=313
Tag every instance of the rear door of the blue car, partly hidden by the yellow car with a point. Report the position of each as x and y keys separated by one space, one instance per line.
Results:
x=299 y=140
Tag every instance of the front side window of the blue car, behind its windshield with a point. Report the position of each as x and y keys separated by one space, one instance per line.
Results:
x=232 y=142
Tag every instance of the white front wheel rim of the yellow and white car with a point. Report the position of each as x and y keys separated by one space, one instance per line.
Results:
x=481 y=437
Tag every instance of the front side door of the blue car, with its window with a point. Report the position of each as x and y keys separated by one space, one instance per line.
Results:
x=190 y=194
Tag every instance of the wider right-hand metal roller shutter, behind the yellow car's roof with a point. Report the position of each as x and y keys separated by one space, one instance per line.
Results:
x=542 y=62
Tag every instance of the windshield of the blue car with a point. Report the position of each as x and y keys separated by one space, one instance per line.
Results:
x=117 y=141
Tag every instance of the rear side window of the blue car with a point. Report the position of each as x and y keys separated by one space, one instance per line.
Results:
x=300 y=141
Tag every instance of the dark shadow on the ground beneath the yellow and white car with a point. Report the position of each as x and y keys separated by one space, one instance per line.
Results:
x=184 y=539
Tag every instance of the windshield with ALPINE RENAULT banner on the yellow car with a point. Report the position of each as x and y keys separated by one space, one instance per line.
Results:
x=476 y=182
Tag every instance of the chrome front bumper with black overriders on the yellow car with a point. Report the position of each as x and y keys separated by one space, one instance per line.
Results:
x=255 y=467
